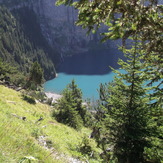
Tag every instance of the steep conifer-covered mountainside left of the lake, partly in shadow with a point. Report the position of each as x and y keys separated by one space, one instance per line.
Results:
x=22 y=43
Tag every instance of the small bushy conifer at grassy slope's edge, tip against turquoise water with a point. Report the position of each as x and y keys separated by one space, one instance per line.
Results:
x=70 y=108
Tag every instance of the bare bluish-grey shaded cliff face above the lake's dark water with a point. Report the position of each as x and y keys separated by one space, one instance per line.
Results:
x=58 y=27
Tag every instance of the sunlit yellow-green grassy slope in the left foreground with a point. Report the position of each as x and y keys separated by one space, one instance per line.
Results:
x=19 y=138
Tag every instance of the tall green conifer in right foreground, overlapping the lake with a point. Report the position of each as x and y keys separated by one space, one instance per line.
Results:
x=125 y=125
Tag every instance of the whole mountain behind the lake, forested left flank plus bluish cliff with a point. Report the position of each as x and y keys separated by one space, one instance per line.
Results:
x=37 y=30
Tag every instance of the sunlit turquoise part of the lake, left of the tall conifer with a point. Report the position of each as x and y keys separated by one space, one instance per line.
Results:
x=87 y=83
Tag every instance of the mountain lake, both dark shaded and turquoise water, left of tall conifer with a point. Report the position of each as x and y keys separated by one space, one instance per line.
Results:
x=88 y=70
